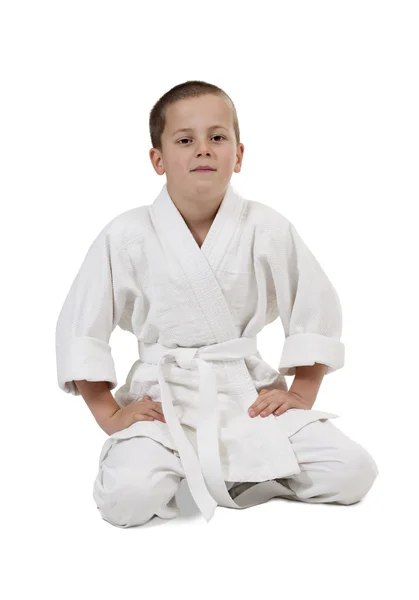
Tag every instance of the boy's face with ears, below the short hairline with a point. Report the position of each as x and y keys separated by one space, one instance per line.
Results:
x=203 y=144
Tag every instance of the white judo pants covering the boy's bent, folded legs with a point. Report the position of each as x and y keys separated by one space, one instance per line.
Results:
x=139 y=477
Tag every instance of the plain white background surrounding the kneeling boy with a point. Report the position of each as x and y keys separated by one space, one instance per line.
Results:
x=327 y=98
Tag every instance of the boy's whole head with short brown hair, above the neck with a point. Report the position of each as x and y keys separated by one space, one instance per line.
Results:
x=176 y=151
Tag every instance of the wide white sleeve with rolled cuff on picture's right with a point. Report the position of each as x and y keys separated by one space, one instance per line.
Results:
x=309 y=309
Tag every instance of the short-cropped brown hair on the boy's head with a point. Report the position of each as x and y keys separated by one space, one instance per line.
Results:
x=188 y=89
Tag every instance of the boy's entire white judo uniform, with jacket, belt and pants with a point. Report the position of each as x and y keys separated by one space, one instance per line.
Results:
x=196 y=313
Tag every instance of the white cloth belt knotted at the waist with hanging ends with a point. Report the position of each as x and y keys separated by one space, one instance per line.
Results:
x=204 y=474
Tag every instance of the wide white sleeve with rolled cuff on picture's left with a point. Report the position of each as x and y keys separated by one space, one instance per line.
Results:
x=92 y=309
